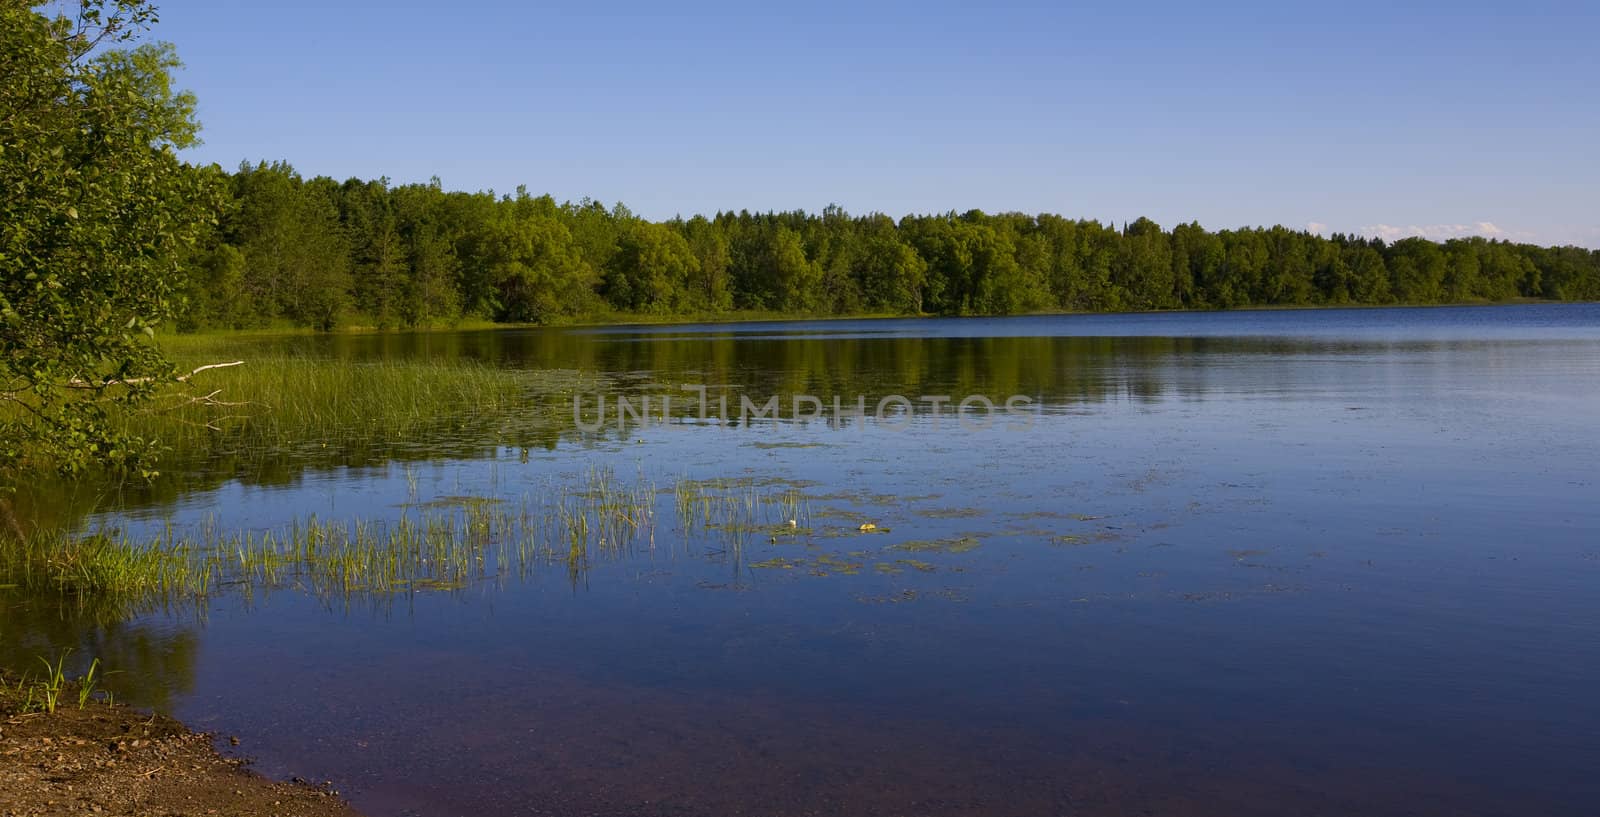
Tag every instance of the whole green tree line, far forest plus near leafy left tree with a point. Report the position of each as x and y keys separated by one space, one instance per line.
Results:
x=106 y=236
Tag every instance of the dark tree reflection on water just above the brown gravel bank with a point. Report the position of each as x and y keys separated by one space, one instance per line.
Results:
x=143 y=663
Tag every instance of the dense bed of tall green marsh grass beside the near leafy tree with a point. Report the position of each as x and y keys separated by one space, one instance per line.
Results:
x=284 y=404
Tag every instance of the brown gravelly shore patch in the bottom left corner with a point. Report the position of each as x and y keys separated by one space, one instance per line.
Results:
x=114 y=760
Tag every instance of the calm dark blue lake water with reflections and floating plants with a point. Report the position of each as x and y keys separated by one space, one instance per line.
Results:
x=1324 y=562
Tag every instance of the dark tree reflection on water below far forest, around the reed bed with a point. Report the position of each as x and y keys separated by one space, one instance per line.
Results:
x=1058 y=372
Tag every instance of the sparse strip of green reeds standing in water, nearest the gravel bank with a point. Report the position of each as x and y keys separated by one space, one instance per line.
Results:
x=438 y=546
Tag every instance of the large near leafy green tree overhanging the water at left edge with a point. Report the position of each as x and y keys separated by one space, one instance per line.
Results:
x=97 y=212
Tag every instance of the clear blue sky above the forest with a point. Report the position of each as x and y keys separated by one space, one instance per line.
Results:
x=1361 y=118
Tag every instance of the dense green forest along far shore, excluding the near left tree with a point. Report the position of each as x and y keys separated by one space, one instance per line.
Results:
x=324 y=253
